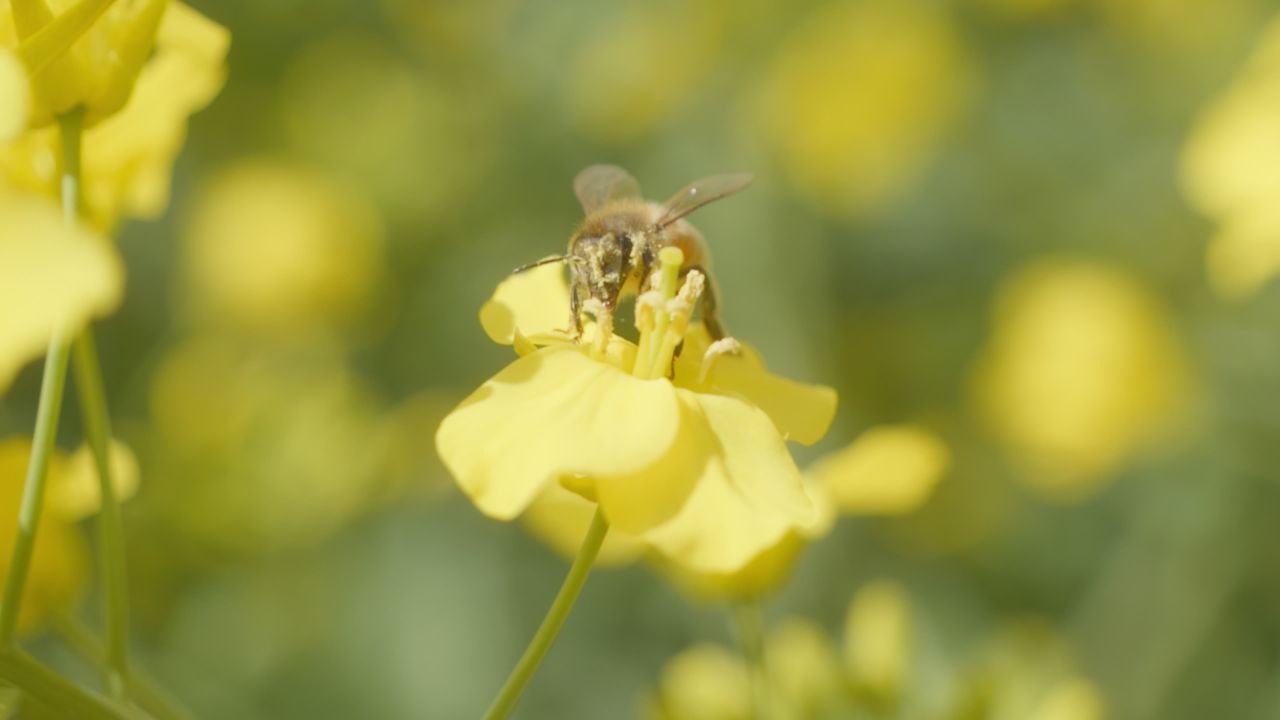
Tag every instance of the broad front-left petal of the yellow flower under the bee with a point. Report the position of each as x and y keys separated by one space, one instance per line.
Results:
x=552 y=414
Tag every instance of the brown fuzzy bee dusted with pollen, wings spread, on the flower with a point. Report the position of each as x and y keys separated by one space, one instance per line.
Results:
x=612 y=253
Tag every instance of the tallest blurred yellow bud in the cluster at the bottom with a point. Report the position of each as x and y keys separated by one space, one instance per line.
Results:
x=879 y=637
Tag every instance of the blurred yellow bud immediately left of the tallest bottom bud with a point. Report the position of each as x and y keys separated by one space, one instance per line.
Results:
x=803 y=666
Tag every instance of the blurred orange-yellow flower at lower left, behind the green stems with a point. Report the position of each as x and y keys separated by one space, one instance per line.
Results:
x=60 y=569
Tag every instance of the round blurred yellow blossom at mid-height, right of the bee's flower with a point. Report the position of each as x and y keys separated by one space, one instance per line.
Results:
x=1082 y=370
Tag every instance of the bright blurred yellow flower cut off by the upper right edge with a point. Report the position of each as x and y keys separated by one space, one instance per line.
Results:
x=1232 y=172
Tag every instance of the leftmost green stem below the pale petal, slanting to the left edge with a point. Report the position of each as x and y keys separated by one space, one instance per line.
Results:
x=34 y=491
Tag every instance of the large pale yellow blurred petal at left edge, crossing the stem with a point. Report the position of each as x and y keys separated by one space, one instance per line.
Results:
x=51 y=276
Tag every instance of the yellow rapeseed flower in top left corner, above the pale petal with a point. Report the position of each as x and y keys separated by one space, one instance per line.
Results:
x=138 y=74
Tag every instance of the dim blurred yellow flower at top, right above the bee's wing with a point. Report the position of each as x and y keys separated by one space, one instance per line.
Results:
x=860 y=98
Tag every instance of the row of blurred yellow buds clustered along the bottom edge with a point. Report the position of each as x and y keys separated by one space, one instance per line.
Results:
x=879 y=669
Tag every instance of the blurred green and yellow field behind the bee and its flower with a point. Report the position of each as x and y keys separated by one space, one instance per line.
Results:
x=1035 y=227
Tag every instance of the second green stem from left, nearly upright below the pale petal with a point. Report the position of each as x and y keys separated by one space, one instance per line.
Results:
x=98 y=429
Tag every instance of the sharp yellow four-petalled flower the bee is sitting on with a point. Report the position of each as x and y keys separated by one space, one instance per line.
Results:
x=697 y=471
